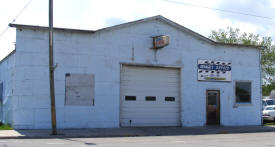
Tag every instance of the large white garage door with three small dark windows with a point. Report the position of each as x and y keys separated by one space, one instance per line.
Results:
x=149 y=96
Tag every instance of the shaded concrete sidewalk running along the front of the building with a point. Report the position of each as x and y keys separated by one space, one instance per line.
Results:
x=130 y=132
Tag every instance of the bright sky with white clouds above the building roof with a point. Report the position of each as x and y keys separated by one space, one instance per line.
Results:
x=96 y=14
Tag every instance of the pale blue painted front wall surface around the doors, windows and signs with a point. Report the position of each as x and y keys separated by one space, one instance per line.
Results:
x=101 y=53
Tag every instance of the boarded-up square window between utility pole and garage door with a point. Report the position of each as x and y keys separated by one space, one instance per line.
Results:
x=79 y=89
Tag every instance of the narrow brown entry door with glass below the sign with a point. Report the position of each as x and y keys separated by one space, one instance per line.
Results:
x=213 y=107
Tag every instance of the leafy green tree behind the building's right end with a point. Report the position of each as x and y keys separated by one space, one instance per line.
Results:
x=234 y=36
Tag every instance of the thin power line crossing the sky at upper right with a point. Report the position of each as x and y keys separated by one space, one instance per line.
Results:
x=216 y=9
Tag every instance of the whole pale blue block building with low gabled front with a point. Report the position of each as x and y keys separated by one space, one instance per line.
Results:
x=117 y=77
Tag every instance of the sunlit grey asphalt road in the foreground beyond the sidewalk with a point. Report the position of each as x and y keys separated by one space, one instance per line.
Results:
x=216 y=140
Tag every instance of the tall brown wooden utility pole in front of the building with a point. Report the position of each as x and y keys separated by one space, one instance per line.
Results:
x=51 y=68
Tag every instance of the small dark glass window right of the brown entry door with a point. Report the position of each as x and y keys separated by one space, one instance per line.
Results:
x=243 y=92
